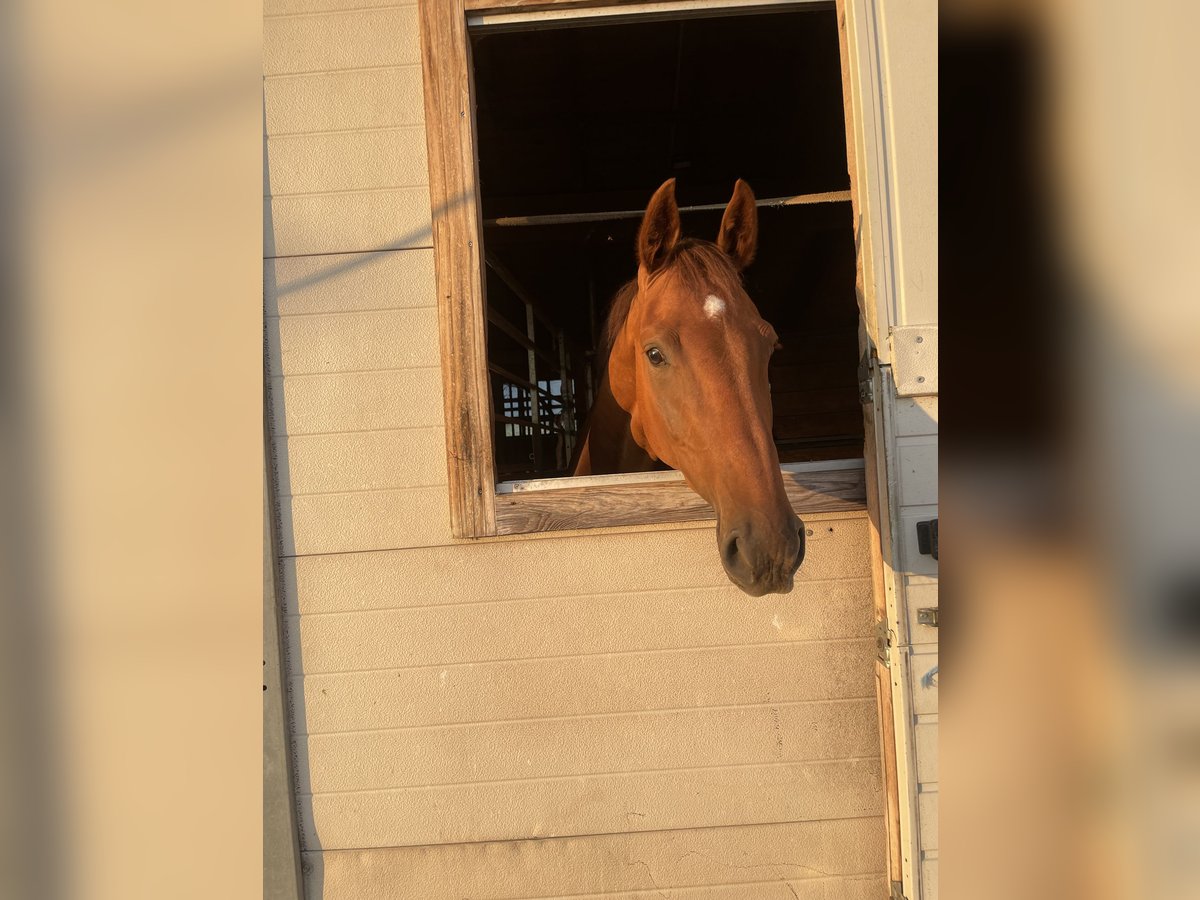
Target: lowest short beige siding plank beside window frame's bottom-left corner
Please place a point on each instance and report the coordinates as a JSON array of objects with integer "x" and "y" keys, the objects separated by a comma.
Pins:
[{"x": 365, "y": 520}]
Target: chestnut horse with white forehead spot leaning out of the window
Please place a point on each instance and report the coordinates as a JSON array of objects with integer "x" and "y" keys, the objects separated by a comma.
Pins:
[{"x": 686, "y": 385}]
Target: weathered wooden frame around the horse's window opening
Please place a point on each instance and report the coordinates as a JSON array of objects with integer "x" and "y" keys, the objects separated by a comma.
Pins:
[{"x": 479, "y": 508}]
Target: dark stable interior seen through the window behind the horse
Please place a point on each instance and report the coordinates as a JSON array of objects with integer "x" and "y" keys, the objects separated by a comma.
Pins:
[{"x": 583, "y": 123}]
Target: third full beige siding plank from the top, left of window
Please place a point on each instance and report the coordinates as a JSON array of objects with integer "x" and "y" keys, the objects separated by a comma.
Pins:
[{"x": 346, "y": 161}]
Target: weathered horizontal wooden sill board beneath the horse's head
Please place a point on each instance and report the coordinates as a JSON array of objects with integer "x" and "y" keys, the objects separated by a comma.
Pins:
[{"x": 833, "y": 490}]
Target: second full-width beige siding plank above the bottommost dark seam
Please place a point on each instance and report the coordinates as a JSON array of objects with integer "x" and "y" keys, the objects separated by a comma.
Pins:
[{"x": 565, "y": 748}]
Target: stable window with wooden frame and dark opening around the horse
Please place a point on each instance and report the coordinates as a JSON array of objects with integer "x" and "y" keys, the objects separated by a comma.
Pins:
[{"x": 549, "y": 130}]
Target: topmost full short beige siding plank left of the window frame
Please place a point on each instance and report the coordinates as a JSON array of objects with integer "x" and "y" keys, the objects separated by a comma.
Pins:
[{"x": 343, "y": 40}]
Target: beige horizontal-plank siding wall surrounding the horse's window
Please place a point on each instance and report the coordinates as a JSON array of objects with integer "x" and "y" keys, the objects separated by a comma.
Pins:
[{"x": 457, "y": 704}]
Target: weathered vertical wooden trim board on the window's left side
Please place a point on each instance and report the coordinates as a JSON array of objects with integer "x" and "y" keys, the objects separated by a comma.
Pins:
[{"x": 459, "y": 265}]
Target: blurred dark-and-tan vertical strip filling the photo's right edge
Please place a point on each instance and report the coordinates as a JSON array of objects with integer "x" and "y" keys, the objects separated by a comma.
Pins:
[{"x": 1071, "y": 292}]
